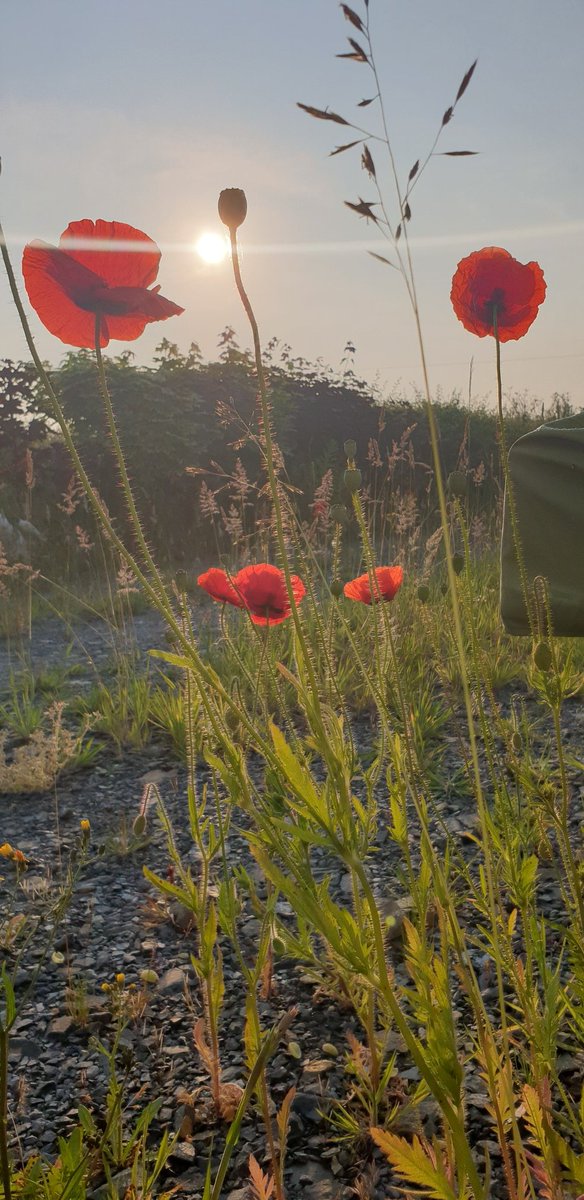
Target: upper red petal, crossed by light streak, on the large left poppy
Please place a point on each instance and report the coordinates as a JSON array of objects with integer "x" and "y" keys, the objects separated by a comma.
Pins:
[{"x": 121, "y": 267}]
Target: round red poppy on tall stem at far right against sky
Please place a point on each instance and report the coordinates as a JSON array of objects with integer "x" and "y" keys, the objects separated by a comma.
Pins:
[{"x": 492, "y": 279}]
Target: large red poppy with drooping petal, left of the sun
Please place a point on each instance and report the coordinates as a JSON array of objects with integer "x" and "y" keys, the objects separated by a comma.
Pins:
[{"x": 71, "y": 284}]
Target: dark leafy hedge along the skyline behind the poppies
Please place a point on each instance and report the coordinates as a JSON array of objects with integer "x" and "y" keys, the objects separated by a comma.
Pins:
[{"x": 194, "y": 421}]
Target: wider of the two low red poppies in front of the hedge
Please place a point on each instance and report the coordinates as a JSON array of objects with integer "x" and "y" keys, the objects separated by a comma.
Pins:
[{"x": 261, "y": 590}]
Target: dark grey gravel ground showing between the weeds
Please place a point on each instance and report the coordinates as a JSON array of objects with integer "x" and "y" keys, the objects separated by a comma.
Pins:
[{"x": 115, "y": 925}]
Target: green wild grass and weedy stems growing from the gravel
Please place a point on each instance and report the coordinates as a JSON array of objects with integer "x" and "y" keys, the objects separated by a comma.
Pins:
[{"x": 314, "y": 737}]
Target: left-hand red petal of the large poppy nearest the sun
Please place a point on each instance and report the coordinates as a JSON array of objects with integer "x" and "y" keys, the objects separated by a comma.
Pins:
[{"x": 49, "y": 280}]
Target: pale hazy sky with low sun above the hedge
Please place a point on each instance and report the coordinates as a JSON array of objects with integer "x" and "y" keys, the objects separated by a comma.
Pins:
[{"x": 142, "y": 112}]
